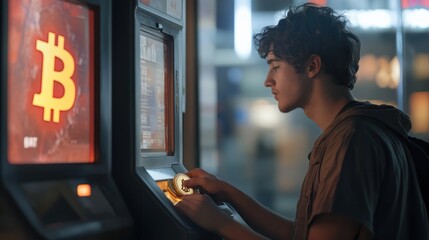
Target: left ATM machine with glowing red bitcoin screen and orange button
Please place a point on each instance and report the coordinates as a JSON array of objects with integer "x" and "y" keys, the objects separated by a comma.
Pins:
[{"x": 56, "y": 128}]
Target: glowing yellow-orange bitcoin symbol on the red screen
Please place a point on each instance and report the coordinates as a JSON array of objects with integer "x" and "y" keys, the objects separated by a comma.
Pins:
[{"x": 45, "y": 98}]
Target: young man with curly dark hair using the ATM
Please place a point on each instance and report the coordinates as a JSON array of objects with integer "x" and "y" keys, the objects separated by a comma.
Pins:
[{"x": 359, "y": 184}]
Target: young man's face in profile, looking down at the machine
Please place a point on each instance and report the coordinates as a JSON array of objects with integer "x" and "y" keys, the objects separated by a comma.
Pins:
[{"x": 290, "y": 89}]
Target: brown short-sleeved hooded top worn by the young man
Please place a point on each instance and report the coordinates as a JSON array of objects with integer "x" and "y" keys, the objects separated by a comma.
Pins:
[{"x": 359, "y": 169}]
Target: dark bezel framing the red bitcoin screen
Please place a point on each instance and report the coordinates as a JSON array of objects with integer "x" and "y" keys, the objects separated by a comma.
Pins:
[{"x": 102, "y": 105}]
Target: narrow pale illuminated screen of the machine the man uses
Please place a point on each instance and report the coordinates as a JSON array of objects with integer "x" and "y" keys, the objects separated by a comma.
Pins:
[{"x": 156, "y": 102}]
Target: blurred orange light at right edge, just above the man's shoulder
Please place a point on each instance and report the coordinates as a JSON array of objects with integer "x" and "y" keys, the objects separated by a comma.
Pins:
[{"x": 419, "y": 111}]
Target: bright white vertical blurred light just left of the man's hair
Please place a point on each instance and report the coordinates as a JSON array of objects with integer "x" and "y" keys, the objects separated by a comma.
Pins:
[{"x": 243, "y": 28}]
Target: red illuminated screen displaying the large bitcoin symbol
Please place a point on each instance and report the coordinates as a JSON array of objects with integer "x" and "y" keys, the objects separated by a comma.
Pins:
[{"x": 50, "y": 82}]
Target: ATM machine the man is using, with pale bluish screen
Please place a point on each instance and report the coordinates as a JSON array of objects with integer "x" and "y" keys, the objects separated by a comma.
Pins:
[{"x": 149, "y": 80}]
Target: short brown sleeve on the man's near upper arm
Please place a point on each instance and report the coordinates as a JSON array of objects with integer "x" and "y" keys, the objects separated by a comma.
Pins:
[{"x": 350, "y": 177}]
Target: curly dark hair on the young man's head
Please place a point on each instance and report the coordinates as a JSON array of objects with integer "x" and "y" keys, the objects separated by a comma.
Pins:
[{"x": 311, "y": 29}]
